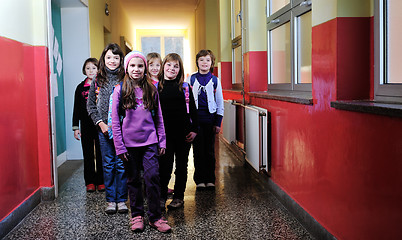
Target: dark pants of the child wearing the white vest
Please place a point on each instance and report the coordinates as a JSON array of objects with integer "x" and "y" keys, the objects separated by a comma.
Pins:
[{"x": 204, "y": 154}]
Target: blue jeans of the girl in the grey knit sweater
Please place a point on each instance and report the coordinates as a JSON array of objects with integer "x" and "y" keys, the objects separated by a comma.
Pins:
[{"x": 114, "y": 176}]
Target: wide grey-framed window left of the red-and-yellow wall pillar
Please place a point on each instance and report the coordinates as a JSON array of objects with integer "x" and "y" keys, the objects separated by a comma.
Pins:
[{"x": 289, "y": 45}]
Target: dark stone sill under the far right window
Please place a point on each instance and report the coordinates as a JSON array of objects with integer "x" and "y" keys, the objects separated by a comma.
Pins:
[{"x": 373, "y": 107}]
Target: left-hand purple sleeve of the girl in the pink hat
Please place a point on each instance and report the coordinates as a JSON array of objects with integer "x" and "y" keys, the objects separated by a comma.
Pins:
[{"x": 116, "y": 125}]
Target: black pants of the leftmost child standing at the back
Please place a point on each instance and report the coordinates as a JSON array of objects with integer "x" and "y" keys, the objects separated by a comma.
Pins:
[{"x": 91, "y": 151}]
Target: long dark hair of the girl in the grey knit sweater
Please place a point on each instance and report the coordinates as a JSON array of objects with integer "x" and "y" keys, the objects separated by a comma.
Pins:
[{"x": 101, "y": 76}]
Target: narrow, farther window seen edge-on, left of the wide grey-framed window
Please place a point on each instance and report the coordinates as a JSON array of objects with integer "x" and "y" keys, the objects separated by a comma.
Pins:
[{"x": 237, "y": 51}]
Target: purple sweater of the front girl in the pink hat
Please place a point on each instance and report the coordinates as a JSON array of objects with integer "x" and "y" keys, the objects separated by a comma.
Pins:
[{"x": 138, "y": 128}]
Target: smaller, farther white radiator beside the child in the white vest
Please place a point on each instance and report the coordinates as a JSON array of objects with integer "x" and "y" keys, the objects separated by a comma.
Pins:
[{"x": 229, "y": 122}]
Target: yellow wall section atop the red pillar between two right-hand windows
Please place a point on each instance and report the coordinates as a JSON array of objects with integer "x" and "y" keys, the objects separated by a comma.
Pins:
[{"x": 325, "y": 10}]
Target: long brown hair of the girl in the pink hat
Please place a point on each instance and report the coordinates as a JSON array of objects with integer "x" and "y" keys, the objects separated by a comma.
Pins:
[{"x": 128, "y": 92}]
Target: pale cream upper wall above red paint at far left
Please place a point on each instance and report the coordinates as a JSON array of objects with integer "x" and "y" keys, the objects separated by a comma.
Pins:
[{"x": 24, "y": 21}]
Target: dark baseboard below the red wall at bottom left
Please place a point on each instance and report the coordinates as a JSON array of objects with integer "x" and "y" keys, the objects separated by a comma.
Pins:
[{"x": 16, "y": 216}]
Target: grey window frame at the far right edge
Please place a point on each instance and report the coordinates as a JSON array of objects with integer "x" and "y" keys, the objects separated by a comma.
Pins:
[{"x": 387, "y": 92}]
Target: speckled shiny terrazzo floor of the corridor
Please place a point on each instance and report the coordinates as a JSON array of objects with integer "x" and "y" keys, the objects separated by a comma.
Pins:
[{"x": 241, "y": 207}]
